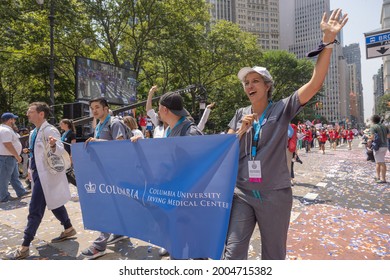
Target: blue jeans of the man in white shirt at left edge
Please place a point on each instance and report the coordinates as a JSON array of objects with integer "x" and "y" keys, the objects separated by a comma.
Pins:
[{"x": 9, "y": 173}]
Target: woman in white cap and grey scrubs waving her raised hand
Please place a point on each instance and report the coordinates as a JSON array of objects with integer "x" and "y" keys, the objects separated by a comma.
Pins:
[{"x": 263, "y": 192}]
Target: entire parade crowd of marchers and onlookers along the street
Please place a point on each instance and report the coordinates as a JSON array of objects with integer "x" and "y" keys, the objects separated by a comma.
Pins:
[{"x": 263, "y": 193}]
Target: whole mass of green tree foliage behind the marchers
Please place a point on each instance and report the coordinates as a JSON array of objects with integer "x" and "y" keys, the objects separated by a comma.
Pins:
[{"x": 171, "y": 43}]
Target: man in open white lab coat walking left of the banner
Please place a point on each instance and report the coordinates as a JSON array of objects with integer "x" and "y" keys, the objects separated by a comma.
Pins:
[{"x": 48, "y": 189}]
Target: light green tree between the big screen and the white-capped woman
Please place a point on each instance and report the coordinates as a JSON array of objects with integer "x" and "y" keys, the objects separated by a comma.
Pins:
[{"x": 207, "y": 55}]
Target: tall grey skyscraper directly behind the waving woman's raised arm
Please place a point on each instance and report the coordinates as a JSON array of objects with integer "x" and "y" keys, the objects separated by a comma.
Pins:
[{"x": 307, "y": 36}]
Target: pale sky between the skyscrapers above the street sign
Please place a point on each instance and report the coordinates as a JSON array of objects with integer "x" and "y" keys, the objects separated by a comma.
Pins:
[{"x": 364, "y": 16}]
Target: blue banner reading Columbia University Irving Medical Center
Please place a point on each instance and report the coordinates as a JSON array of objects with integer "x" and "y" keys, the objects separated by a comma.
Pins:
[{"x": 173, "y": 192}]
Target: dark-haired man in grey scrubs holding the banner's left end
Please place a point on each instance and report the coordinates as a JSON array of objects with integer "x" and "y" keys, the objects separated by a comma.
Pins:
[{"x": 106, "y": 129}]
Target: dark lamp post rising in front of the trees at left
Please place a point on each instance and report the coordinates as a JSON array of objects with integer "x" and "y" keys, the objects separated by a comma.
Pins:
[{"x": 51, "y": 69}]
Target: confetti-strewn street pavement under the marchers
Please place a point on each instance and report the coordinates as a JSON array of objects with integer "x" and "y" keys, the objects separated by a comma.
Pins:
[{"x": 339, "y": 212}]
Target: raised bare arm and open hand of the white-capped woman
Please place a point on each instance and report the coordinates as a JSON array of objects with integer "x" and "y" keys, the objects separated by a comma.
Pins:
[{"x": 330, "y": 28}]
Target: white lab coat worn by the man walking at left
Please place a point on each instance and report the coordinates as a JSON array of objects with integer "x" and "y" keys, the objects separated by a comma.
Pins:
[{"x": 55, "y": 186}]
